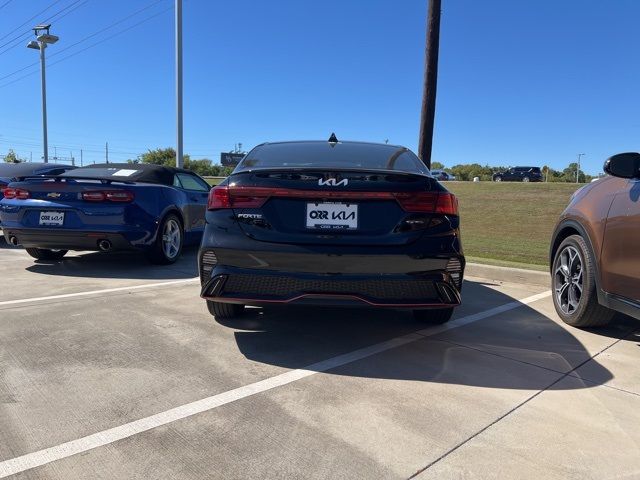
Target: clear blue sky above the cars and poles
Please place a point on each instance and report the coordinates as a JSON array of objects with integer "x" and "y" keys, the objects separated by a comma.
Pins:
[{"x": 520, "y": 82}]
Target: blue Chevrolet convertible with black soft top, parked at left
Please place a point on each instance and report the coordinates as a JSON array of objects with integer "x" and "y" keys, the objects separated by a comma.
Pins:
[{"x": 107, "y": 207}]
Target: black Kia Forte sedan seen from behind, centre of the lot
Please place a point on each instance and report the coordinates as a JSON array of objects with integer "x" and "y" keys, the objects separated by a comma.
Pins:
[{"x": 332, "y": 223}]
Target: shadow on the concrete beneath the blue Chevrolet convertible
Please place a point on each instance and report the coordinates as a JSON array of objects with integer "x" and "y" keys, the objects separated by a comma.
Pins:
[{"x": 124, "y": 265}]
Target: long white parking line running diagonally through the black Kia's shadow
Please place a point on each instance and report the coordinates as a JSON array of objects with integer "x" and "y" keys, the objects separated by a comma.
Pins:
[{"x": 105, "y": 437}]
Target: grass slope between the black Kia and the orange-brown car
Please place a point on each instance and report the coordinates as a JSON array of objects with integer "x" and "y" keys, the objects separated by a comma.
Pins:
[{"x": 510, "y": 223}]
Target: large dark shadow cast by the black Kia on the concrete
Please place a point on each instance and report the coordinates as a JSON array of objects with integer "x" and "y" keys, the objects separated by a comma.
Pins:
[{"x": 518, "y": 349}]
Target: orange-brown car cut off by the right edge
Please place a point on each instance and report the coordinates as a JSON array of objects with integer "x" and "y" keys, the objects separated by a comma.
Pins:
[{"x": 594, "y": 258}]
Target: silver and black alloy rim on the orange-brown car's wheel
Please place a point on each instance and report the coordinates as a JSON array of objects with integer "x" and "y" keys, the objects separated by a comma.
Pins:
[{"x": 568, "y": 280}]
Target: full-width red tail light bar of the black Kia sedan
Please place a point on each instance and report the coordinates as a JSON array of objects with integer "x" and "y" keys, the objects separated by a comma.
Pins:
[{"x": 229, "y": 196}]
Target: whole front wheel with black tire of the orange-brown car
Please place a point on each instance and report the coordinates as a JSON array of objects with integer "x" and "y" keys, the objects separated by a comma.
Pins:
[{"x": 573, "y": 285}]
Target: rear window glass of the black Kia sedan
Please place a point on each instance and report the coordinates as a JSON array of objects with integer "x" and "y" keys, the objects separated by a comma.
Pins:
[{"x": 325, "y": 155}]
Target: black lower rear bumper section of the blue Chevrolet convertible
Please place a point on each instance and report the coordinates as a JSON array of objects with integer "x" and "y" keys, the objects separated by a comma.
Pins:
[{"x": 65, "y": 239}]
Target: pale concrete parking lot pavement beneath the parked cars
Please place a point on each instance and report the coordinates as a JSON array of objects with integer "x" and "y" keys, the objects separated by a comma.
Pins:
[{"x": 113, "y": 368}]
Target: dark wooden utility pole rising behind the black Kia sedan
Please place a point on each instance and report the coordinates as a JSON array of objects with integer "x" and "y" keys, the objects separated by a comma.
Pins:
[{"x": 430, "y": 82}]
